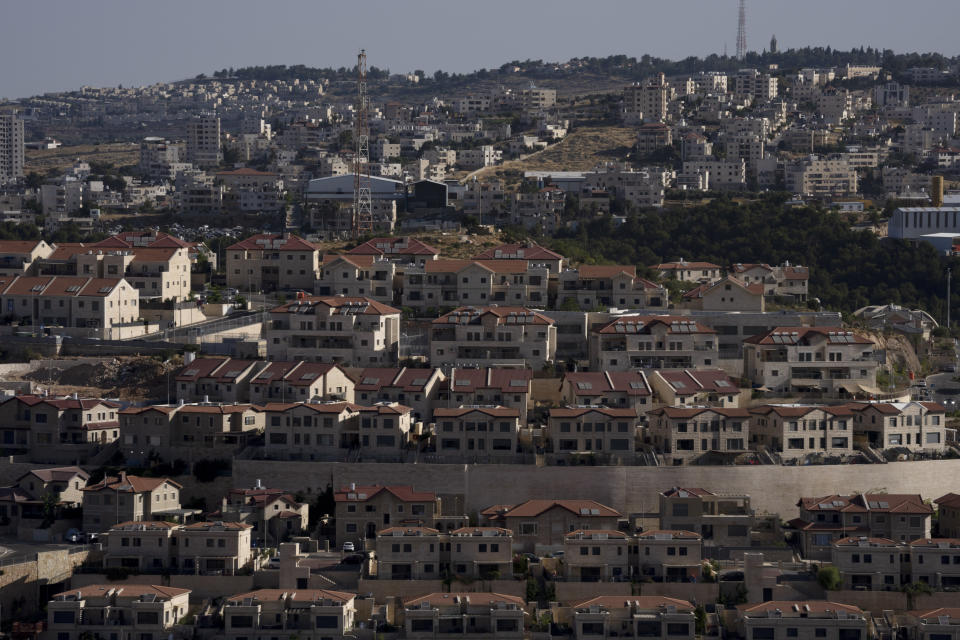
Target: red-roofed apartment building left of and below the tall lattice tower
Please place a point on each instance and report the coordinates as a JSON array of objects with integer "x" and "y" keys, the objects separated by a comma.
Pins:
[{"x": 271, "y": 261}]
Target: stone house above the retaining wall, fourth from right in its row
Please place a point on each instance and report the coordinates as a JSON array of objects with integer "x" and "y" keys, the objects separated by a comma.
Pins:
[{"x": 593, "y": 431}]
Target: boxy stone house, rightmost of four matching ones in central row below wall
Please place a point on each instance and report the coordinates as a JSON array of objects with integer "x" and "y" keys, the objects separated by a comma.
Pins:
[{"x": 670, "y": 556}]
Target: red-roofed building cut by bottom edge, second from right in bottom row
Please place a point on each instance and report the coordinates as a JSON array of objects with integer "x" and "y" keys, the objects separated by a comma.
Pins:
[{"x": 804, "y": 620}]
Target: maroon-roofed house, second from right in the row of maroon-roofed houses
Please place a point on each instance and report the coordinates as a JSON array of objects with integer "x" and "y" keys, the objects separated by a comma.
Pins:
[{"x": 620, "y": 389}]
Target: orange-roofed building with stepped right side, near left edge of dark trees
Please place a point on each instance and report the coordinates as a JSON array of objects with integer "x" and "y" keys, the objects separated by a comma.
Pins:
[{"x": 592, "y": 286}]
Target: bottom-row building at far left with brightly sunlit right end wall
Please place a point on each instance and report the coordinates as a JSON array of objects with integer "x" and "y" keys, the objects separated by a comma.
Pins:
[{"x": 127, "y": 611}]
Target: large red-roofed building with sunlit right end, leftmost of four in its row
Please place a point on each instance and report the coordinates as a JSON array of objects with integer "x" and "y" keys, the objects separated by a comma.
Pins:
[{"x": 355, "y": 331}]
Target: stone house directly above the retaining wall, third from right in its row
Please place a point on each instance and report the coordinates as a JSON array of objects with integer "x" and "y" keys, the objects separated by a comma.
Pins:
[{"x": 683, "y": 434}]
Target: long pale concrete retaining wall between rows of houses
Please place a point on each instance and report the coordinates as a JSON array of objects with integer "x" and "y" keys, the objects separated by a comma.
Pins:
[{"x": 629, "y": 489}]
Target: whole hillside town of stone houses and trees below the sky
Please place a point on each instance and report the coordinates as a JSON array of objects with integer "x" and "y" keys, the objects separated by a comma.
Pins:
[{"x": 604, "y": 348}]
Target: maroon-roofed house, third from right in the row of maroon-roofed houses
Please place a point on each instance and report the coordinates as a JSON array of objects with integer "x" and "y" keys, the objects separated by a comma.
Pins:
[{"x": 488, "y": 386}]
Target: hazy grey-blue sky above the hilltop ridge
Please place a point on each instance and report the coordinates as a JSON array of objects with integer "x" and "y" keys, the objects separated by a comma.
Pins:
[{"x": 50, "y": 45}]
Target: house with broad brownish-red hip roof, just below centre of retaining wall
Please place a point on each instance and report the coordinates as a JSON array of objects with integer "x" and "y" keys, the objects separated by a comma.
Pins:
[{"x": 542, "y": 525}]
